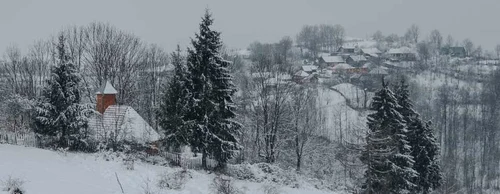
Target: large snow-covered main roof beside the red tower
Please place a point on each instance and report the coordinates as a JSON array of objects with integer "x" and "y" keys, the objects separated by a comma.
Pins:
[{"x": 125, "y": 122}]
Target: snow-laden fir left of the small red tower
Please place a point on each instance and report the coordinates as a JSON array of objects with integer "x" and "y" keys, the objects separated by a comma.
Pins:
[{"x": 59, "y": 114}]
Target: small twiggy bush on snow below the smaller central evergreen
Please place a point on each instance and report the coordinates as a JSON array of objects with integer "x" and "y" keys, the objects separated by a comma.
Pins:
[{"x": 174, "y": 180}]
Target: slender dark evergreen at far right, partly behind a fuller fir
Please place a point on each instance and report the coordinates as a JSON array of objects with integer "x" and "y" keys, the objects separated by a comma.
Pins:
[{"x": 424, "y": 148}]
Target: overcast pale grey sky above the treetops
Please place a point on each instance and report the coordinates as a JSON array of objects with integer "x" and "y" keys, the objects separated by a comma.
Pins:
[{"x": 168, "y": 22}]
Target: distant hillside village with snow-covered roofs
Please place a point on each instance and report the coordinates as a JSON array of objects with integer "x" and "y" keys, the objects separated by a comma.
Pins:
[{"x": 358, "y": 62}]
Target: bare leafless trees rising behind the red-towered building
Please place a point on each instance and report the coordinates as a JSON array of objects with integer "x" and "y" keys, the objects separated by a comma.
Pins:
[{"x": 99, "y": 52}]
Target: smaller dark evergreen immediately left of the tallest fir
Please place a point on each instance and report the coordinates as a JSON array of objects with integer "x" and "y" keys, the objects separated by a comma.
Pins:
[{"x": 174, "y": 105}]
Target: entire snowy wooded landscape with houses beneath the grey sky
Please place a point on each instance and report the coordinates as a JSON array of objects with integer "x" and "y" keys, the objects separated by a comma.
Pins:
[{"x": 317, "y": 112}]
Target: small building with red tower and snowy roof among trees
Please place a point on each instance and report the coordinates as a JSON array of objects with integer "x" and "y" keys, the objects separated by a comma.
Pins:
[{"x": 118, "y": 121}]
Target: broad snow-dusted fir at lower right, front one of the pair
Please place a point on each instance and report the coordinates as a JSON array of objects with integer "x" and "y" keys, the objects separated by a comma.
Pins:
[{"x": 387, "y": 153}]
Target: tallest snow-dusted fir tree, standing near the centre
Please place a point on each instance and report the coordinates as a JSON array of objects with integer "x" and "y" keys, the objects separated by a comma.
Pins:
[{"x": 211, "y": 111}]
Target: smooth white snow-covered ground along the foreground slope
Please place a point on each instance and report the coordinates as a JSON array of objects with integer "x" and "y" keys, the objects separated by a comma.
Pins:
[{"x": 50, "y": 172}]
